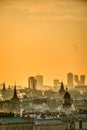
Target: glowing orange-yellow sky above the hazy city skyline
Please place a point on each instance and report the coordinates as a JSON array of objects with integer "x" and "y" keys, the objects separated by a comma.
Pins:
[{"x": 47, "y": 37}]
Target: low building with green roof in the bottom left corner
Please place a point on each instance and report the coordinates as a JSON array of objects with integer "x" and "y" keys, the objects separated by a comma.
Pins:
[{"x": 15, "y": 123}]
